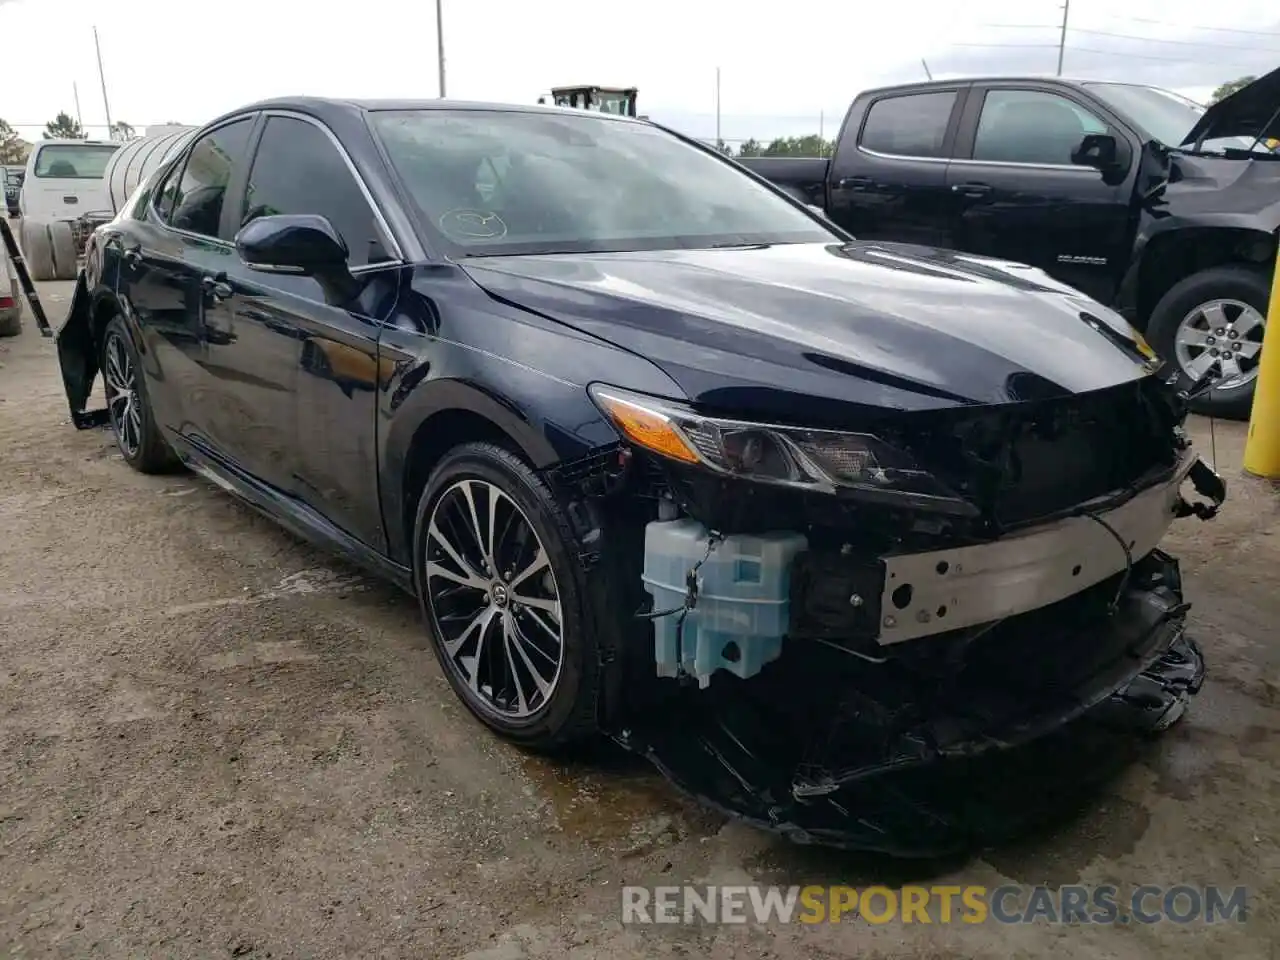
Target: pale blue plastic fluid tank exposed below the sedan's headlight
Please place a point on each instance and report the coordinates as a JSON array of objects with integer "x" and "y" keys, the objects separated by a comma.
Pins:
[{"x": 744, "y": 598}]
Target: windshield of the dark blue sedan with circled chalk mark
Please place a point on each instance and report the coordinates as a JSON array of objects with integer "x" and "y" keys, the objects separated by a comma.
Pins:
[{"x": 505, "y": 182}]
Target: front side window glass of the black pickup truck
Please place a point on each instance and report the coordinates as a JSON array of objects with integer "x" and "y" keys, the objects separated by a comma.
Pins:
[{"x": 1032, "y": 127}]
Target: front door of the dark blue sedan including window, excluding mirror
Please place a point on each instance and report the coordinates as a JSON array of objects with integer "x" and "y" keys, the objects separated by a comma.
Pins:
[{"x": 299, "y": 348}]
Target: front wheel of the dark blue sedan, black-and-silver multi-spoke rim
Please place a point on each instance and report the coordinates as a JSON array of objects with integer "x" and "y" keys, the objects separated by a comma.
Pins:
[{"x": 502, "y": 595}]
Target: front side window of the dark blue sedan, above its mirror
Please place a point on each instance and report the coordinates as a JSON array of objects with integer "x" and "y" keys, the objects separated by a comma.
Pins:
[{"x": 299, "y": 171}]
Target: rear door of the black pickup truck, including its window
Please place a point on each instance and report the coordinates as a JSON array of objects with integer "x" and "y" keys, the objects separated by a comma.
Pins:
[{"x": 889, "y": 173}]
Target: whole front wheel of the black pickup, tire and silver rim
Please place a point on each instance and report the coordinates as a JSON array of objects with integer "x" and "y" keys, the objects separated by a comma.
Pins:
[{"x": 1215, "y": 321}]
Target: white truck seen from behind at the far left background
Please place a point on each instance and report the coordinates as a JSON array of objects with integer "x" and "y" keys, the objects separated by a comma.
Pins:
[{"x": 63, "y": 199}]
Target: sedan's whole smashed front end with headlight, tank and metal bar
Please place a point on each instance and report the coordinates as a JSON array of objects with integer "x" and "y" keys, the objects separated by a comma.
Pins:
[{"x": 865, "y": 639}]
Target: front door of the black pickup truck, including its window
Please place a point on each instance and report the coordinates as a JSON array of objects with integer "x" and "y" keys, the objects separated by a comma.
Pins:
[{"x": 1021, "y": 198}]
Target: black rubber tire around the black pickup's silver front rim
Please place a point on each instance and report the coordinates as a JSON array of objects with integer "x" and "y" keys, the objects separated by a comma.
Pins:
[{"x": 1233, "y": 284}]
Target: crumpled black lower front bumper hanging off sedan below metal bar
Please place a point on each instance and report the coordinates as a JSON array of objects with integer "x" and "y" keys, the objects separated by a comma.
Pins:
[{"x": 931, "y": 757}]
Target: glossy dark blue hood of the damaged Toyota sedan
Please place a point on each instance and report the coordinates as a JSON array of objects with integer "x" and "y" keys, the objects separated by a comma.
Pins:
[{"x": 771, "y": 330}]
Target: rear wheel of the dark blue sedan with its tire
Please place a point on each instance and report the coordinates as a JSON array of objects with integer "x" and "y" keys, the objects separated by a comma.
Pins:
[{"x": 132, "y": 423}]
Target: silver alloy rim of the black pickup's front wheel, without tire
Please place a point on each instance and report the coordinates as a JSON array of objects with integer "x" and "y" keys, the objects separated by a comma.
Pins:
[{"x": 1226, "y": 332}]
